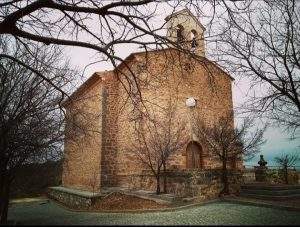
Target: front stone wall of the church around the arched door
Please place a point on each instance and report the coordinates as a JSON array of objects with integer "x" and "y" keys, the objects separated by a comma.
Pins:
[{"x": 160, "y": 81}]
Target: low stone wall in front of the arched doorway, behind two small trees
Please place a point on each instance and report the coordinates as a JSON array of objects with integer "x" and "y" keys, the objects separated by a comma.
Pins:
[{"x": 203, "y": 184}]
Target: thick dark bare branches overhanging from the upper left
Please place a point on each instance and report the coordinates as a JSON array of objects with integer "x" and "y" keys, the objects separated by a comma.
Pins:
[{"x": 98, "y": 25}]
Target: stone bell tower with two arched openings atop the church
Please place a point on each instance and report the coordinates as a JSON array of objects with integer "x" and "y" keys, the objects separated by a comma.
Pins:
[{"x": 186, "y": 30}]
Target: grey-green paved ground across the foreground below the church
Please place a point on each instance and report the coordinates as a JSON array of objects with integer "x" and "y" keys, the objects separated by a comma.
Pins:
[{"x": 218, "y": 213}]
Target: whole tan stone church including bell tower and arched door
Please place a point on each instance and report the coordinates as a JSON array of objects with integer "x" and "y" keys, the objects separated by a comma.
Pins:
[{"x": 101, "y": 114}]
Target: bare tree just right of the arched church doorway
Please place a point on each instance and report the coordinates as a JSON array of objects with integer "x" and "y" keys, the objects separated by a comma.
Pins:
[{"x": 229, "y": 143}]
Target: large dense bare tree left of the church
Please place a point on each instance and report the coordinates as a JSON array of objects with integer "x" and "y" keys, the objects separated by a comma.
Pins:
[{"x": 31, "y": 121}]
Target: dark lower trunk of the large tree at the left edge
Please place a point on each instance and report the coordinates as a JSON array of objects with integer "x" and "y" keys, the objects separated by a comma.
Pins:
[{"x": 4, "y": 198}]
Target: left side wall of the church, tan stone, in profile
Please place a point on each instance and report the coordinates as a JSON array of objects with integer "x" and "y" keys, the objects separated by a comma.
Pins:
[{"x": 83, "y": 142}]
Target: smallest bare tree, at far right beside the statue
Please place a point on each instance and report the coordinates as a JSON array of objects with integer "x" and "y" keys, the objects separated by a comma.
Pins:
[{"x": 287, "y": 161}]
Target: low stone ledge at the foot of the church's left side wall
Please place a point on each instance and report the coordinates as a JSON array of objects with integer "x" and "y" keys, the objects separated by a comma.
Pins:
[{"x": 73, "y": 198}]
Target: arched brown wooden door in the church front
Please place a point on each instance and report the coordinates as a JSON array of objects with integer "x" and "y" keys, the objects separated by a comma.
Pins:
[{"x": 194, "y": 156}]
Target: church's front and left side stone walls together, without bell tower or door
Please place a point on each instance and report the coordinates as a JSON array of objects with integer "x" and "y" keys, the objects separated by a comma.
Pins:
[{"x": 105, "y": 157}]
